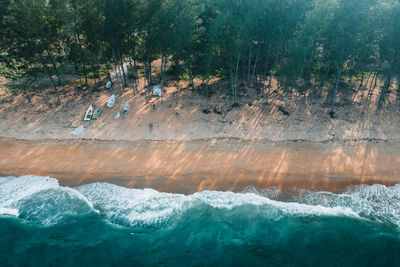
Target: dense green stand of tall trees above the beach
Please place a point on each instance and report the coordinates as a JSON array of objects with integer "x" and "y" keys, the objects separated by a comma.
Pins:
[{"x": 307, "y": 46}]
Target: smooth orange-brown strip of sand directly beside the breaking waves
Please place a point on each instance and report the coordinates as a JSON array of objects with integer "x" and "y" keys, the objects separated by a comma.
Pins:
[{"x": 190, "y": 166}]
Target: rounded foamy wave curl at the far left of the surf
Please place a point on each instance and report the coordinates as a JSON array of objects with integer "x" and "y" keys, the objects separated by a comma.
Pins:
[{"x": 42, "y": 200}]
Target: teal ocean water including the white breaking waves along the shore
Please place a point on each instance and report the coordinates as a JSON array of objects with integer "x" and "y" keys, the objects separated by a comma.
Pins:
[{"x": 100, "y": 224}]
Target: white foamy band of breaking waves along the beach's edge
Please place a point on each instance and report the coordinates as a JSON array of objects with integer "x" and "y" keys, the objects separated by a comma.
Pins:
[{"x": 43, "y": 201}]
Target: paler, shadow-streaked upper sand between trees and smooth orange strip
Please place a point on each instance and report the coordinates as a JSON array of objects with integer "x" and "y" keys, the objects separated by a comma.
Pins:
[{"x": 181, "y": 116}]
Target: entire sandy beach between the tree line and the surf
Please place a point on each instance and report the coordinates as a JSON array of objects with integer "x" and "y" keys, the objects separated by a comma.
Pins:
[{"x": 235, "y": 147}]
